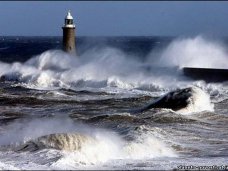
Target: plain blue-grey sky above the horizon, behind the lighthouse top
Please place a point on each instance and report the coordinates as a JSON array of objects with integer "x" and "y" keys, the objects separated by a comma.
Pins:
[{"x": 148, "y": 18}]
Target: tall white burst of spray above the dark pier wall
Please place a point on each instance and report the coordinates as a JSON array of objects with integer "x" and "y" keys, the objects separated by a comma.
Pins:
[{"x": 194, "y": 52}]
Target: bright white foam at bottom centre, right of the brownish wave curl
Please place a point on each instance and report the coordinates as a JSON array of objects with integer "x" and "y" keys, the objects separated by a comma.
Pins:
[{"x": 111, "y": 147}]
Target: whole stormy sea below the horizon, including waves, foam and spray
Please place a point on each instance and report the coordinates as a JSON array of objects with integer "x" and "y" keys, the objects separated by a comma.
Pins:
[{"x": 62, "y": 111}]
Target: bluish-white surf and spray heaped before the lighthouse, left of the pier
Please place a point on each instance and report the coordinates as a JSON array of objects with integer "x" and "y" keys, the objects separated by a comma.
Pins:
[{"x": 105, "y": 68}]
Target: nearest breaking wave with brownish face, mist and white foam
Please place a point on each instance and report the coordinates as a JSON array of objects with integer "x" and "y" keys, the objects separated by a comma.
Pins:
[{"x": 80, "y": 144}]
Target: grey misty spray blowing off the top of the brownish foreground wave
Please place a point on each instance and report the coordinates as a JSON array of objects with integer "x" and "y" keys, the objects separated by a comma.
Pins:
[{"x": 23, "y": 131}]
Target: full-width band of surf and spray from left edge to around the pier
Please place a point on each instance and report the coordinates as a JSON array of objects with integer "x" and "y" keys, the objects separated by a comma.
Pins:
[{"x": 110, "y": 67}]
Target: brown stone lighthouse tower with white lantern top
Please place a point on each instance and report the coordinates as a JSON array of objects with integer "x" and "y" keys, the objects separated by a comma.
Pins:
[{"x": 69, "y": 34}]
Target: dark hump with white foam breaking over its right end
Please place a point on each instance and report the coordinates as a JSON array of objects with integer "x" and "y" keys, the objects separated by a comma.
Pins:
[{"x": 187, "y": 100}]
